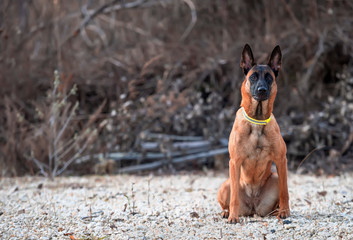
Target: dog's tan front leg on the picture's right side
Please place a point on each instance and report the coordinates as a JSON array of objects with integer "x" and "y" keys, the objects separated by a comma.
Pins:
[{"x": 283, "y": 188}]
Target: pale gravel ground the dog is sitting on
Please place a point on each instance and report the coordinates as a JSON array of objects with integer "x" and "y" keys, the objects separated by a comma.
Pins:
[{"x": 167, "y": 207}]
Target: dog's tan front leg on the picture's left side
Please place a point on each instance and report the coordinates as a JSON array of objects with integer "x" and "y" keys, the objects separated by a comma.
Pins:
[{"x": 234, "y": 173}]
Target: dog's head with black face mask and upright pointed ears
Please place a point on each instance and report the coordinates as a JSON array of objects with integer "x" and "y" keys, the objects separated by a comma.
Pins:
[{"x": 260, "y": 79}]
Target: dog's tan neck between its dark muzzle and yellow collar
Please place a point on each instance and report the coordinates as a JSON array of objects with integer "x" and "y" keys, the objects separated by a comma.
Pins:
[{"x": 255, "y": 109}]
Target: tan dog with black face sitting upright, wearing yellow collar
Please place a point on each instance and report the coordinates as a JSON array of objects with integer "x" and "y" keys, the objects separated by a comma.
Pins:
[{"x": 254, "y": 143}]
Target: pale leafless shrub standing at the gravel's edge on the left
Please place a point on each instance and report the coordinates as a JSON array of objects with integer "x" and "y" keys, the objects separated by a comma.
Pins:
[{"x": 55, "y": 135}]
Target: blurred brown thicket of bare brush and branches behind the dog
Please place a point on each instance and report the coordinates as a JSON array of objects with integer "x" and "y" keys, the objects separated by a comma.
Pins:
[{"x": 126, "y": 86}]
